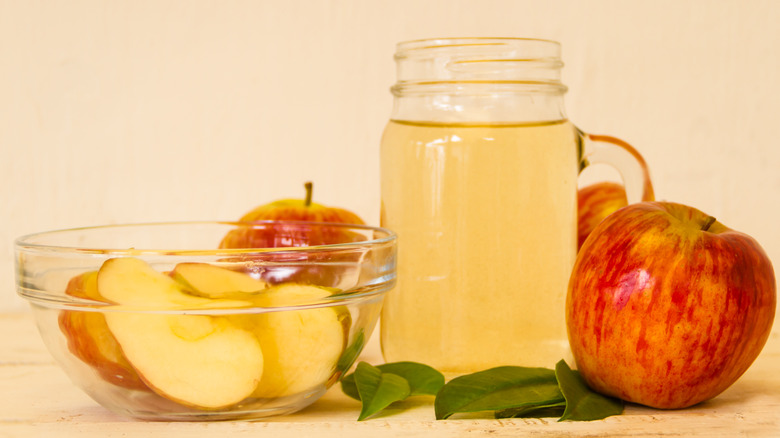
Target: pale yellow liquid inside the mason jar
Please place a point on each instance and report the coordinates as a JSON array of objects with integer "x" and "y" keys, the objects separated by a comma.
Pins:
[{"x": 486, "y": 223}]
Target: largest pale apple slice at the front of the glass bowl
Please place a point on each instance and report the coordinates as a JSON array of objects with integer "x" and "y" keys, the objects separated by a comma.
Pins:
[{"x": 201, "y": 361}]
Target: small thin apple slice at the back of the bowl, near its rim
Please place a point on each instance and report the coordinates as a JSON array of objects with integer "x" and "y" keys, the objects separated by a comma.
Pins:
[{"x": 209, "y": 281}]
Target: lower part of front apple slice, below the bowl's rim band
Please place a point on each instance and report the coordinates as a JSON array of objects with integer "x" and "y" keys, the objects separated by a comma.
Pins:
[{"x": 199, "y": 361}]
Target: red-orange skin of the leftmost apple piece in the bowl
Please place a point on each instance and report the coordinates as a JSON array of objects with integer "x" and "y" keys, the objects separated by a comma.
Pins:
[{"x": 90, "y": 340}]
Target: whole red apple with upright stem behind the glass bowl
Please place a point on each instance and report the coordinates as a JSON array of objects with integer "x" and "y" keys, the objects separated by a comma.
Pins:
[{"x": 292, "y": 228}]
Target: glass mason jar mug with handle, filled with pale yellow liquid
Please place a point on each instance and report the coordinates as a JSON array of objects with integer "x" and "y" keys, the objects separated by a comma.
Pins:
[{"x": 479, "y": 168}]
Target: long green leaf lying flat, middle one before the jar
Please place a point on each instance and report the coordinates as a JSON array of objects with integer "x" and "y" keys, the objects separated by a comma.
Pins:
[{"x": 498, "y": 389}]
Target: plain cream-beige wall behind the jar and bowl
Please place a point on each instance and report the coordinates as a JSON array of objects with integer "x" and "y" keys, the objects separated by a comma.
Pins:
[{"x": 127, "y": 111}]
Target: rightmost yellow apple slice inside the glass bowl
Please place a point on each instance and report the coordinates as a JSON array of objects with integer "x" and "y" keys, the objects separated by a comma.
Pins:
[{"x": 301, "y": 347}]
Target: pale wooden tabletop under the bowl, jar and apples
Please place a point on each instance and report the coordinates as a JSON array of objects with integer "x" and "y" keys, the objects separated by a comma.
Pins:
[{"x": 38, "y": 399}]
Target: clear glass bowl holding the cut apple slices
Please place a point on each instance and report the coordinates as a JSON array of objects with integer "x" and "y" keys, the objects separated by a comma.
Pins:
[{"x": 169, "y": 321}]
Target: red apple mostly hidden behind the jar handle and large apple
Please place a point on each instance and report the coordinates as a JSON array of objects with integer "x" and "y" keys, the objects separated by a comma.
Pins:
[{"x": 594, "y": 203}]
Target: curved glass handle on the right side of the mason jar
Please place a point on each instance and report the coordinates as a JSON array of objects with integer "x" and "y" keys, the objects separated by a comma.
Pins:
[{"x": 623, "y": 157}]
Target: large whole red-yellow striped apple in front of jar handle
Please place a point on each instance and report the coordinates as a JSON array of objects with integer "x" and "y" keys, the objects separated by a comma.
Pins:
[{"x": 664, "y": 314}]
